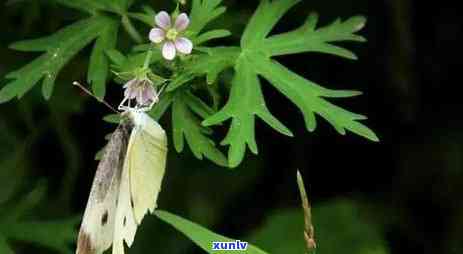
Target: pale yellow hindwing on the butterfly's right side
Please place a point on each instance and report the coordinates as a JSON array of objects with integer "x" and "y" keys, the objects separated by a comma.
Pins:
[{"x": 147, "y": 162}]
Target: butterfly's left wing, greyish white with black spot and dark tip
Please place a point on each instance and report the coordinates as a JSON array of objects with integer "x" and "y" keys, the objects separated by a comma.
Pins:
[{"x": 97, "y": 227}]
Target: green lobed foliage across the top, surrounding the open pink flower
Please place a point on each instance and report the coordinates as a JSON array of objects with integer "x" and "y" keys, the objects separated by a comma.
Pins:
[{"x": 192, "y": 115}]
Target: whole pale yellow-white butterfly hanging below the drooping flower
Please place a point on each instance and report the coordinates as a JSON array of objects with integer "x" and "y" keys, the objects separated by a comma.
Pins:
[{"x": 126, "y": 184}]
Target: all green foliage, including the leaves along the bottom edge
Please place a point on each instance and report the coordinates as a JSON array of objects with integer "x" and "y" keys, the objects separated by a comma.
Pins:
[{"x": 198, "y": 94}]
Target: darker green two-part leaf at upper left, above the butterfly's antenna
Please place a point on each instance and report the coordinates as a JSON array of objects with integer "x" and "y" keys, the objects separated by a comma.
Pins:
[{"x": 60, "y": 48}]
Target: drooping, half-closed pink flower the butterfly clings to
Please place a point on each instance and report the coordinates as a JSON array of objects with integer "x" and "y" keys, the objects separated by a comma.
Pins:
[{"x": 141, "y": 90}]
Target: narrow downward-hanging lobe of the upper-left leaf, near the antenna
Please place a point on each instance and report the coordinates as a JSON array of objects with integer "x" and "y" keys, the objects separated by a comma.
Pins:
[{"x": 98, "y": 69}]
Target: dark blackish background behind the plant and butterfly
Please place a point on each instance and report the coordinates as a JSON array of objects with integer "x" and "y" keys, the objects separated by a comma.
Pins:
[{"x": 409, "y": 186}]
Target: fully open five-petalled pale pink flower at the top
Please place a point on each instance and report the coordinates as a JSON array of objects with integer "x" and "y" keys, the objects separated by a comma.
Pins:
[{"x": 170, "y": 35}]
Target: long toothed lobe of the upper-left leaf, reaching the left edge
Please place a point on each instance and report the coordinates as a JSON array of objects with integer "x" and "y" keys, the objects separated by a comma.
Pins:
[{"x": 61, "y": 48}]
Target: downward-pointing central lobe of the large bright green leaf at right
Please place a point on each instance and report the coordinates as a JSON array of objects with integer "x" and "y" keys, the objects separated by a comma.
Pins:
[{"x": 245, "y": 91}]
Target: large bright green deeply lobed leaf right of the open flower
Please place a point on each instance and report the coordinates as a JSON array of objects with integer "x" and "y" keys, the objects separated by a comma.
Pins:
[{"x": 255, "y": 60}]
